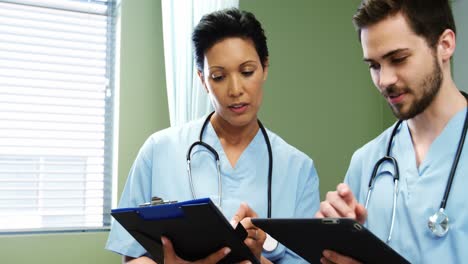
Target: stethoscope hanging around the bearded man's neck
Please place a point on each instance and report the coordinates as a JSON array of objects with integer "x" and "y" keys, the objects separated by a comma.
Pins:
[{"x": 438, "y": 223}]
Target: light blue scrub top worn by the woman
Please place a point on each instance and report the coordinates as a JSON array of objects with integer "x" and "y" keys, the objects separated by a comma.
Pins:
[{"x": 160, "y": 169}]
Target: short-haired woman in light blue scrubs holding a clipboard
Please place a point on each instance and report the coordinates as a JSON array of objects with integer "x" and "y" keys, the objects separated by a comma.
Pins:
[{"x": 232, "y": 59}]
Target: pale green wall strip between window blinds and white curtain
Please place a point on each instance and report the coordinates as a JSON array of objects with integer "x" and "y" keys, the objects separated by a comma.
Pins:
[{"x": 143, "y": 98}]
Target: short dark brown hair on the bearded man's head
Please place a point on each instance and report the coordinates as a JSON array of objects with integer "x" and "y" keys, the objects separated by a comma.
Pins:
[{"x": 427, "y": 18}]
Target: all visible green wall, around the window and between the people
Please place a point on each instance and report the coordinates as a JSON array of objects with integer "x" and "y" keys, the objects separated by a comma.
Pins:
[{"x": 319, "y": 98}]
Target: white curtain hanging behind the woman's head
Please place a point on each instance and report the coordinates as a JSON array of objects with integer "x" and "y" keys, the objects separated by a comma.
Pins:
[{"x": 186, "y": 96}]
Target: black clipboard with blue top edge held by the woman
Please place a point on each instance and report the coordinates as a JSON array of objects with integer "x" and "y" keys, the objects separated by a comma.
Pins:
[{"x": 196, "y": 229}]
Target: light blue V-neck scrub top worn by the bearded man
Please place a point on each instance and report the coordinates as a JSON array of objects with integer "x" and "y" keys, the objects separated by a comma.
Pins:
[{"x": 420, "y": 193}]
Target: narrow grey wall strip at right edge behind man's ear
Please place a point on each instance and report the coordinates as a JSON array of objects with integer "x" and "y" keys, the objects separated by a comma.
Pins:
[{"x": 460, "y": 9}]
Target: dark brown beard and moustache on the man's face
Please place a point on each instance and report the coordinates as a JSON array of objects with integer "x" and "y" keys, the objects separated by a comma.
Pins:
[{"x": 430, "y": 88}]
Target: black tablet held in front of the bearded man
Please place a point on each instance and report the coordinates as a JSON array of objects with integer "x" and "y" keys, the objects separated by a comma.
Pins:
[{"x": 309, "y": 237}]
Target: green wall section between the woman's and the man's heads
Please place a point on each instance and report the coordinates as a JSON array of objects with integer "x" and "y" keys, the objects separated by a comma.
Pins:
[{"x": 319, "y": 96}]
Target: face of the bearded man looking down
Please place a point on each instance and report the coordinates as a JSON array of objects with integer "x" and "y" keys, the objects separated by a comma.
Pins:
[{"x": 402, "y": 65}]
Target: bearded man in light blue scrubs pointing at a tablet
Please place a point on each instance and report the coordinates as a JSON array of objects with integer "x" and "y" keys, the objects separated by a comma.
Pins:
[{"x": 408, "y": 45}]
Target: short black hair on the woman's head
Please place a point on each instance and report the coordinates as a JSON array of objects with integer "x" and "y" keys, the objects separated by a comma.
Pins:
[{"x": 219, "y": 25}]
